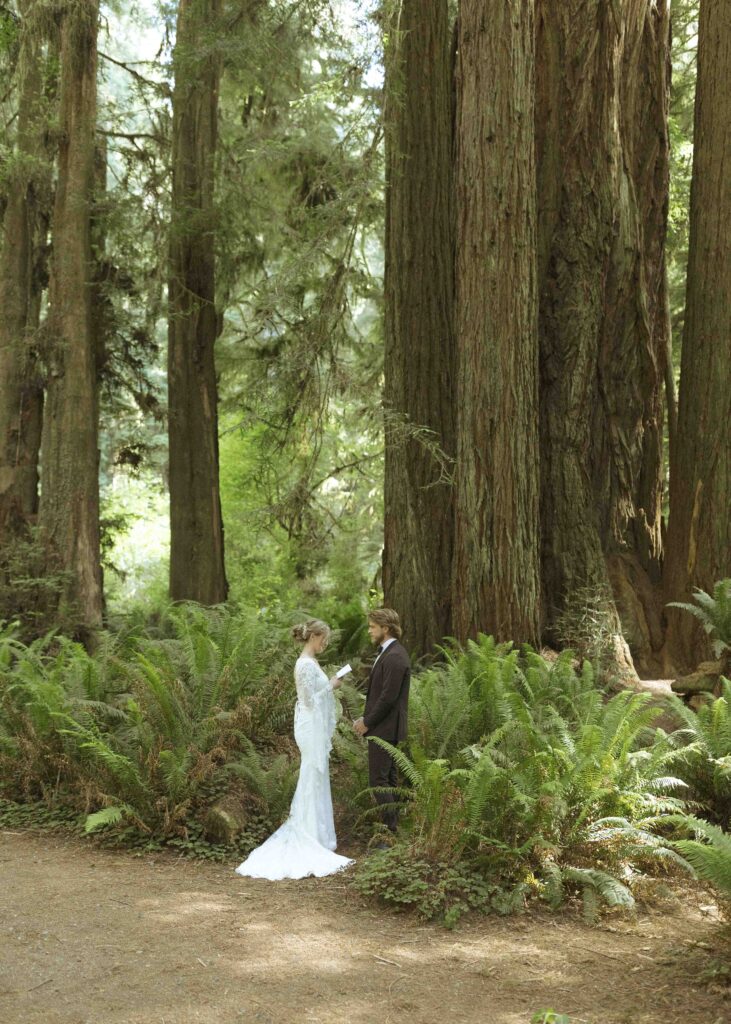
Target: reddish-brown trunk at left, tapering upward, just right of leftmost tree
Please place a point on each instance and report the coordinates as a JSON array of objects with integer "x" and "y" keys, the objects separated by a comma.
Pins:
[{"x": 70, "y": 493}]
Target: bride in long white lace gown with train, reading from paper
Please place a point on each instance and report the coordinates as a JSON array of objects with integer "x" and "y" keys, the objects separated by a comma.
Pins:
[{"x": 306, "y": 843}]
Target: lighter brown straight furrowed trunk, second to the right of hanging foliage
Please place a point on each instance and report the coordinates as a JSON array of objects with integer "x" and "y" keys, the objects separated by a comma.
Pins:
[{"x": 497, "y": 550}]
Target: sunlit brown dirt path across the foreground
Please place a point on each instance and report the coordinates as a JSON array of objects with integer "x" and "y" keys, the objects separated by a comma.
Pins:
[{"x": 97, "y": 937}]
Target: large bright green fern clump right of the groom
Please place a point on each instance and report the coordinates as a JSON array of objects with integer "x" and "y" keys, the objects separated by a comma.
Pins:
[{"x": 525, "y": 771}]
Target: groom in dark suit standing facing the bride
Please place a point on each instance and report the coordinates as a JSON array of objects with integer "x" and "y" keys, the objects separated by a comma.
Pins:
[{"x": 386, "y": 706}]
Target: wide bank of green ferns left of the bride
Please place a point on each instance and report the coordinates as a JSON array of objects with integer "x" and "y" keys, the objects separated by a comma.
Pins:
[{"x": 151, "y": 728}]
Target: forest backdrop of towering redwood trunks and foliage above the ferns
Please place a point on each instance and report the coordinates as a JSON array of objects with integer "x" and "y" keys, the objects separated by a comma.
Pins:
[{"x": 291, "y": 281}]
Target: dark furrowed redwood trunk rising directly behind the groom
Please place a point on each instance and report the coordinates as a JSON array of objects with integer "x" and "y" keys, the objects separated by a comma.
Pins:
[{"x": 420, "y": 347}]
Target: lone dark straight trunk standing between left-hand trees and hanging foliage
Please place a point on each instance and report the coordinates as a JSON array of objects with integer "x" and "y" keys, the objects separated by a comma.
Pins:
[{"x": 197, "y": 570}]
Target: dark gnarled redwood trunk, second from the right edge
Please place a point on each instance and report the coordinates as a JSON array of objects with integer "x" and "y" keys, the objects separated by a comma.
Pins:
[{"x": 635, "y": 348}]
